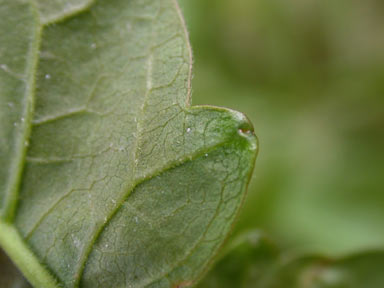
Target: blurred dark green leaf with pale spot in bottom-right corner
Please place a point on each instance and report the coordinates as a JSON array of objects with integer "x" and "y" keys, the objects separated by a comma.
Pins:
[{"x": 362, "y": 270}]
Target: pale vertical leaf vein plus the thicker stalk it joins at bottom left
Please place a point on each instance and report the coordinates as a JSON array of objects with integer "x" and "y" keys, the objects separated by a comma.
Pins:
[{"x": 10, "y": 239}]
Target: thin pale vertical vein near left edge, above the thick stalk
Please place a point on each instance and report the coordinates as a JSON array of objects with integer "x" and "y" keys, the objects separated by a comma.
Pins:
[{"x": 17, "y": 166}]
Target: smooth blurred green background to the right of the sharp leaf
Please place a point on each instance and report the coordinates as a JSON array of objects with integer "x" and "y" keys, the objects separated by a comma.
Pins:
[{"x": 310, "y": 76}]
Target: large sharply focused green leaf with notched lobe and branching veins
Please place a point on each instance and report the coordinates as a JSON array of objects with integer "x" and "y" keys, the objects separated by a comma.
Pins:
[{"x": 108, "y": 177}]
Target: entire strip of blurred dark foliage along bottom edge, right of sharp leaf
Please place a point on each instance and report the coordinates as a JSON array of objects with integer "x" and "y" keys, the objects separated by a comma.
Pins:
[{"x": 252, "y": 261}]
